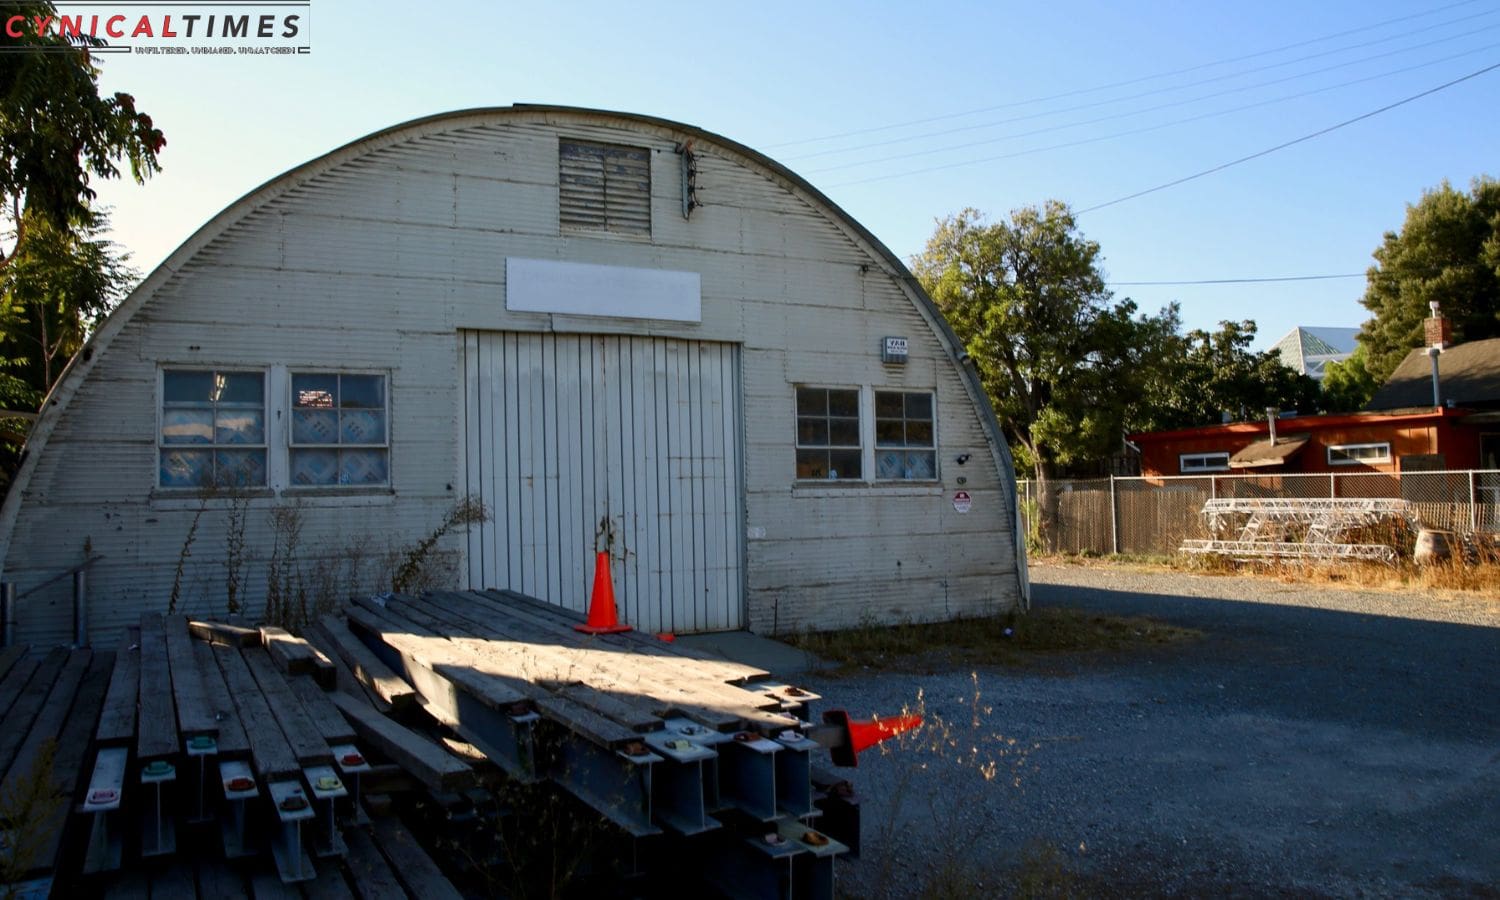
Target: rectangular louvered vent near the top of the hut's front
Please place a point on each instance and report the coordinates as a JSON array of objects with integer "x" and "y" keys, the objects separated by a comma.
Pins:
[{"x": 605, "y": 188}]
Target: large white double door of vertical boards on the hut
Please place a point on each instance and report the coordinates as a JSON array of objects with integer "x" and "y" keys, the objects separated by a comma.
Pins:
[{"x": 577, "y": 443}]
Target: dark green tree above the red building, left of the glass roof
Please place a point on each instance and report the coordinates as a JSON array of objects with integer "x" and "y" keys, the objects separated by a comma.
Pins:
[{"x": 1205, "y": 374}]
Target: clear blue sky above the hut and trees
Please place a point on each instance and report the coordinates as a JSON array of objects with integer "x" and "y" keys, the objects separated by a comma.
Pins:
[{"x": 782, "y": 76}]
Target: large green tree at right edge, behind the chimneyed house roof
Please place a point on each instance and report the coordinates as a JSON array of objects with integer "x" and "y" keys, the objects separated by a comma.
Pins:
[{"x": 1448, "y": 251}]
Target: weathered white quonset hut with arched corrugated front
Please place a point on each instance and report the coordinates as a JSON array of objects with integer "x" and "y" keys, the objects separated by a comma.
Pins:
[{"x": 613, "y": 331}]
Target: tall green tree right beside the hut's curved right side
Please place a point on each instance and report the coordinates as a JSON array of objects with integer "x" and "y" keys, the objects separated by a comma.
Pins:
[{"x": 1060, "y": 358}]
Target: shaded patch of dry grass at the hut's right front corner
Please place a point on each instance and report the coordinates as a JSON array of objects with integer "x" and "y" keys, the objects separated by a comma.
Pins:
[{"x": 995, "y": 641}]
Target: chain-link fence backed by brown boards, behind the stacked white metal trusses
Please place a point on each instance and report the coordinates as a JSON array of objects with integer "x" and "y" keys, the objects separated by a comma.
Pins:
[{"x": 1154, "y": 515}]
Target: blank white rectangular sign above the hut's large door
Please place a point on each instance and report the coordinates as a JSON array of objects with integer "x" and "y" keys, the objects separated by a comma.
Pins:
[{"x": 619, "y": 292}]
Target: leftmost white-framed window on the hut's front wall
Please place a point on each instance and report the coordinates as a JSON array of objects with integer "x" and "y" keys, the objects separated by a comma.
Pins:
[{"x": 212, "y": 430}]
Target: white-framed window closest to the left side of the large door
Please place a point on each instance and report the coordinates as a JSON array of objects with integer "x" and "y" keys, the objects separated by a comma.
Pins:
[{"x": 340, "y": 430}]
